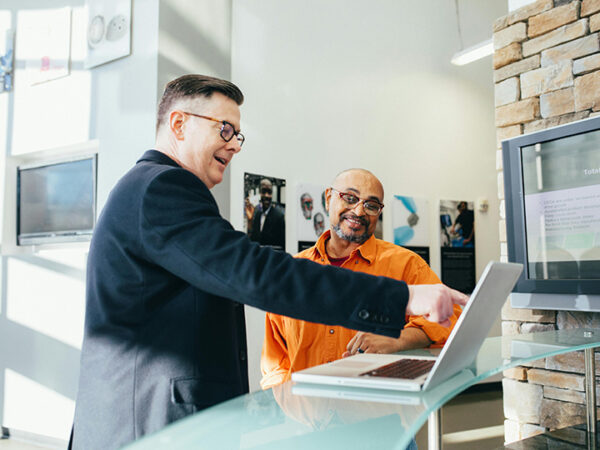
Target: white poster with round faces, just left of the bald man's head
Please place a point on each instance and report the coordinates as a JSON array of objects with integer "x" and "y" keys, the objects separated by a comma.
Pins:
[{"x": 312, "y": 218}]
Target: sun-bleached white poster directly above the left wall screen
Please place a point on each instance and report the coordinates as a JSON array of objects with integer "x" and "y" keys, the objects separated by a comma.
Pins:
[{"x": 44, "y": 43}]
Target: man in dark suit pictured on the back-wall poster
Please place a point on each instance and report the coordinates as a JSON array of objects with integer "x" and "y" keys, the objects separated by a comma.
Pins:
[{"x": 267, "y": 226}]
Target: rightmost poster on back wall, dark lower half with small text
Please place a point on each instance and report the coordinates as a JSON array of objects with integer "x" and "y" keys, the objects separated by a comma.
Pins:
[{"x": 457, "y": 242}]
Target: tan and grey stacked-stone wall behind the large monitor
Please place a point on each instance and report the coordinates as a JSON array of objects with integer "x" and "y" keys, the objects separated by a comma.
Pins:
[{"x": 546, "y": 73}]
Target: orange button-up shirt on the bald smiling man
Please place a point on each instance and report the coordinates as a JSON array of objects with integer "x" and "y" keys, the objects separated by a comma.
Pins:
[{"x": 291, "y": 345}]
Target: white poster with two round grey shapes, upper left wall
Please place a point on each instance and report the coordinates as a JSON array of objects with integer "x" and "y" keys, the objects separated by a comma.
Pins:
[{"x": 108, "y": 33}]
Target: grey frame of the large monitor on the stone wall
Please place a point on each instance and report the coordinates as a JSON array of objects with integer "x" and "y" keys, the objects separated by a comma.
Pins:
[{"x": 515, "y": 209}]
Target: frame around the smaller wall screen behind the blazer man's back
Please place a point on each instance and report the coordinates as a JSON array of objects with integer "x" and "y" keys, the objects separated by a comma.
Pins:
[{"x": 67, "y": 236}]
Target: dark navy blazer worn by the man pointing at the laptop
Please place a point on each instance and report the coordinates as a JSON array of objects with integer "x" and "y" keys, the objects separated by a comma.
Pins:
[{"x": 164, "y": 327}]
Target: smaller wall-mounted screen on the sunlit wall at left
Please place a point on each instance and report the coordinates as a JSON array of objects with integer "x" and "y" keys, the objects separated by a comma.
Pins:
[{"x": 56, "y": 201}]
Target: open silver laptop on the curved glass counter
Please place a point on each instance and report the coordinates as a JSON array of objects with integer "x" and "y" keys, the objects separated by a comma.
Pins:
[{"x": 372, "y": 370}]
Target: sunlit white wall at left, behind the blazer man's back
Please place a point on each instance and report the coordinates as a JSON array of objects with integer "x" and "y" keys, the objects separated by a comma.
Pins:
[{"x": 42, "y": 295}]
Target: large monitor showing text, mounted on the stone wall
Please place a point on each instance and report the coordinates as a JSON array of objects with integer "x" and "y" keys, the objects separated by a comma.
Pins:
[{"x": 552, "y": 194}]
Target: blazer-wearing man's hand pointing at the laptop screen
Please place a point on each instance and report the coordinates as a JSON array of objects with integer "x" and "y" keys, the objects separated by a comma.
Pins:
[{"x": 434, "y": 302}]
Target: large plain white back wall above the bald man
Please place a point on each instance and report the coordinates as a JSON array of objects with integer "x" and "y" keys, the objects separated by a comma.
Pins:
[{"x": 339, "y": 84}]
